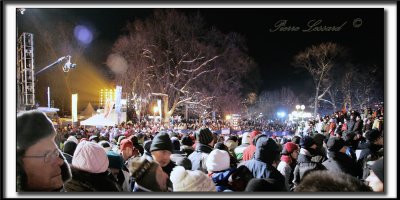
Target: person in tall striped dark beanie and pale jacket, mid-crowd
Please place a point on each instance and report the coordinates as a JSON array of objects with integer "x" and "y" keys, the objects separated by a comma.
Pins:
[{"x": 204, "y": 143}]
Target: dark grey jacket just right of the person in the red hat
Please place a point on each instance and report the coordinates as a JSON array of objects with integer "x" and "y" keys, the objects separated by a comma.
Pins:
[{"x": 304, "y": 166}]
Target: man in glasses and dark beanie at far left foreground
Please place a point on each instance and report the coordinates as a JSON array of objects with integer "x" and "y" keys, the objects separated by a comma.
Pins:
[{"x": 40, "y": 164}]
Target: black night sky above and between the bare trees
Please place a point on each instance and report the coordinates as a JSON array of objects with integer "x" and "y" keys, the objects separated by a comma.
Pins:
[{"x": 272, "y": 51}]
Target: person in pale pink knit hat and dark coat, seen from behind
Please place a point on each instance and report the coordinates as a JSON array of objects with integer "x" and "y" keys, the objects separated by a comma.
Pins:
[{"x": 89, "y": 170}]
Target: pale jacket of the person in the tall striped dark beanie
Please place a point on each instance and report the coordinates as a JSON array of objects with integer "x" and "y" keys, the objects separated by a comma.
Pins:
[{"x": 199, "y": 157}]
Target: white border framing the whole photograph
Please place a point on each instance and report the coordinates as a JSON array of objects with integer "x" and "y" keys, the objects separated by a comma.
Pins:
[{"x": 9, "y": 116}]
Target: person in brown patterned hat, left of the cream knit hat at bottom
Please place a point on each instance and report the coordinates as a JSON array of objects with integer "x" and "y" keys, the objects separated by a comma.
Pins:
[{"x": 148, "y": 176}]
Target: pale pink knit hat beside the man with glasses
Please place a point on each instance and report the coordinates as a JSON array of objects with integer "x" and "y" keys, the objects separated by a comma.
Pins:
[{"x": 90, "y": 157}]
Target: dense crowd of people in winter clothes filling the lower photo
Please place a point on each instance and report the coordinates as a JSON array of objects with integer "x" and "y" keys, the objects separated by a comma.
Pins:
[{"x": 340, "y": 152}]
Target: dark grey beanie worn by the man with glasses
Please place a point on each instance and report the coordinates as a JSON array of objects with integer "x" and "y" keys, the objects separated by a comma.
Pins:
[{"x": 32, "y": 126}]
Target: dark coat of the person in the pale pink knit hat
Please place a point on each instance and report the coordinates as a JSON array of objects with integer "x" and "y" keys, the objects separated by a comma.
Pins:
[{"x": 83, "y": 181}]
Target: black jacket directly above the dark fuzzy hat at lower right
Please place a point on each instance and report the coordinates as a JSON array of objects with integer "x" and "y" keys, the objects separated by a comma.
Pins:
[{"x": 341, "y": 162}]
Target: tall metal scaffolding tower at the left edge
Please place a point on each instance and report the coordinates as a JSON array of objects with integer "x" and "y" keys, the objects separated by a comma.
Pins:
[{"x": 25, "y": 72}]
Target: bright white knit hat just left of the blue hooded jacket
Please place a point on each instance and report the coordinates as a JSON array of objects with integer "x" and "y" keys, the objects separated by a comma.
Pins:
[{"x": 218, "y": 160}]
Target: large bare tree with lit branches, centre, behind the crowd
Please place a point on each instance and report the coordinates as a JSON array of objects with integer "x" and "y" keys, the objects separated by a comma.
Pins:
[{"x": 174, "y": 57}]
